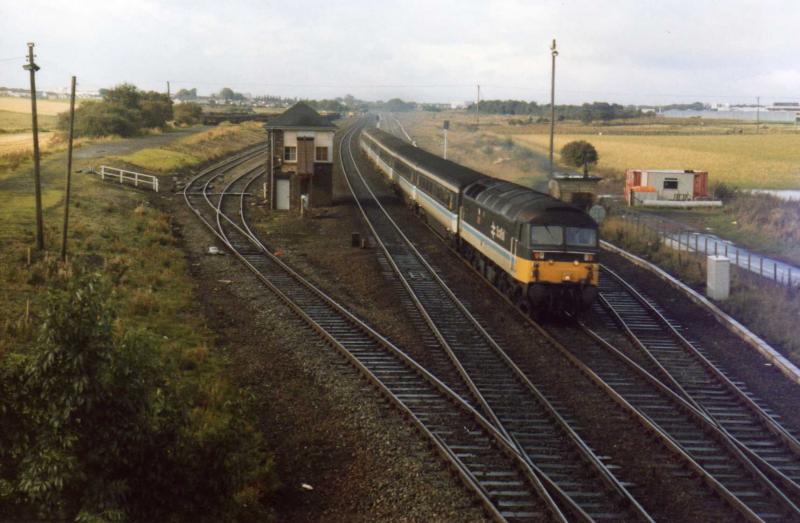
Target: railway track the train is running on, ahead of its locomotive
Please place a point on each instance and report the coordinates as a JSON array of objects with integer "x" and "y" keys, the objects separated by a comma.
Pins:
[{"x": 704, "y": 447}]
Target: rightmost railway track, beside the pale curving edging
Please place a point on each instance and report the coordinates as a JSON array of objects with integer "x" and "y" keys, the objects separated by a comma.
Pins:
[{"x": 683, "y": 365}]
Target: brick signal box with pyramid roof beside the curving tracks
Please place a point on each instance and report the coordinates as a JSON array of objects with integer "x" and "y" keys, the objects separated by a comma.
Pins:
[{"x": 300, "y": 159}]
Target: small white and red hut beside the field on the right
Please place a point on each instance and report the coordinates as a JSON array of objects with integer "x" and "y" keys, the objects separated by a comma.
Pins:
[{"x": 667, "y": 188}]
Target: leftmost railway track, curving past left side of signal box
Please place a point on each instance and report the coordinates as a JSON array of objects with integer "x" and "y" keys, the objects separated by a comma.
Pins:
[{"x": 502, "y": 480}]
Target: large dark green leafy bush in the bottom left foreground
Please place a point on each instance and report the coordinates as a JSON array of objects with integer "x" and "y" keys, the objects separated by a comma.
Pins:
[{"x": 98, "y": 424}]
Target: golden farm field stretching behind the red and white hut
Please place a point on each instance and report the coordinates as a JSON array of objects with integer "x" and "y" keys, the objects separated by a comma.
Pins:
[{"x": 731, "y": 151}]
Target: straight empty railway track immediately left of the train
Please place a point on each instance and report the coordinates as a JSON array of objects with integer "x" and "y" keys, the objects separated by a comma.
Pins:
[{"x": 566, "y": 465}]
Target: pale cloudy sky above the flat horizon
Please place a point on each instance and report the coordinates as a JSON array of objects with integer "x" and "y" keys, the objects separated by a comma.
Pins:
[{"x": 624, "y": 51}]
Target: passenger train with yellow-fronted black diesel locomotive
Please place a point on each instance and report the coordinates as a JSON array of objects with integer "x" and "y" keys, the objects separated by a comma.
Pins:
[{"x": 539, "y": 251}]
